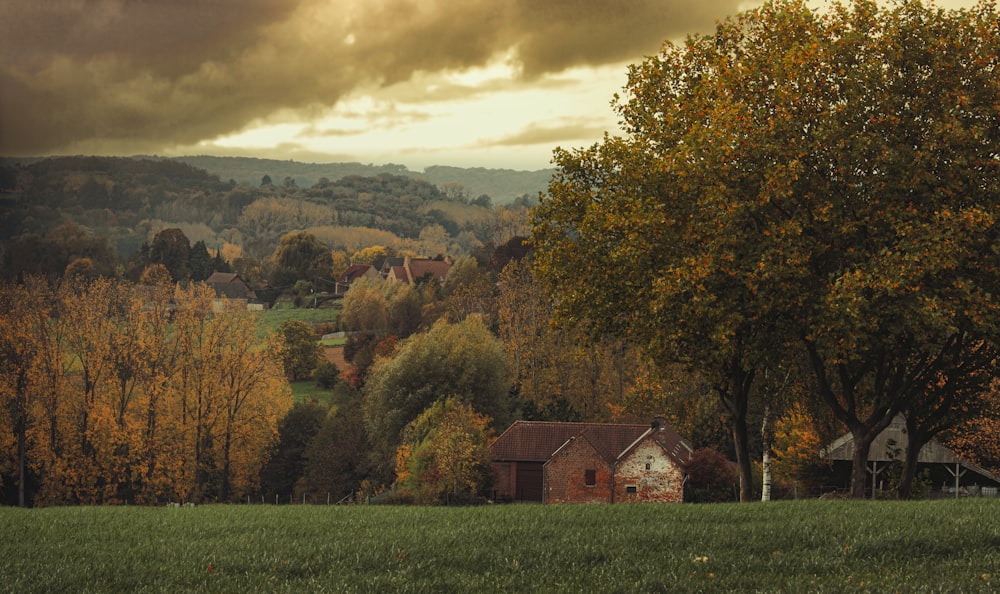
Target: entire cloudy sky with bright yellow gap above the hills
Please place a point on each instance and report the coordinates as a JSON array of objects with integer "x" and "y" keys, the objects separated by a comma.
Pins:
[{"x": 468, "y": 83}]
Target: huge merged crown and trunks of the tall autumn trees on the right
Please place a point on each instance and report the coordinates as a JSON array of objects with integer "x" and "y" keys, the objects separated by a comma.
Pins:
[{"x": 819, "y": 181}]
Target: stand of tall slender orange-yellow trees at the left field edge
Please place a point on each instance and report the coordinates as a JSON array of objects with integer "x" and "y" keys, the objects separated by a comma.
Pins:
[{"x": 136, "y": 397}]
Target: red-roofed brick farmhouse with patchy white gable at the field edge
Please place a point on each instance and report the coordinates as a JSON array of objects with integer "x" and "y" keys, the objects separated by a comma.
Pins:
[{"x": 589, "y": 462}]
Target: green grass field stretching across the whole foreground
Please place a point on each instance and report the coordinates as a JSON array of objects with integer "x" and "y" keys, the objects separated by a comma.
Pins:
[{"x": 803, "y": 546}]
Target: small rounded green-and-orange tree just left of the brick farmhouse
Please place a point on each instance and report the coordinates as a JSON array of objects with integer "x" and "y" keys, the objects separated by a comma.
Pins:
[{"x": 445, "y": 454}]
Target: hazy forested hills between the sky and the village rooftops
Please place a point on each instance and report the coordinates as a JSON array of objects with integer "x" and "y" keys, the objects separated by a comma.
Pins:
[{"x": 127, "y": 201}]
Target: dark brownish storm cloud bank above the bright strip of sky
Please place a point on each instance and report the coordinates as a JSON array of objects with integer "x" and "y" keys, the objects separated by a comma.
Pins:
[{"x": 122, "y": 76}]
